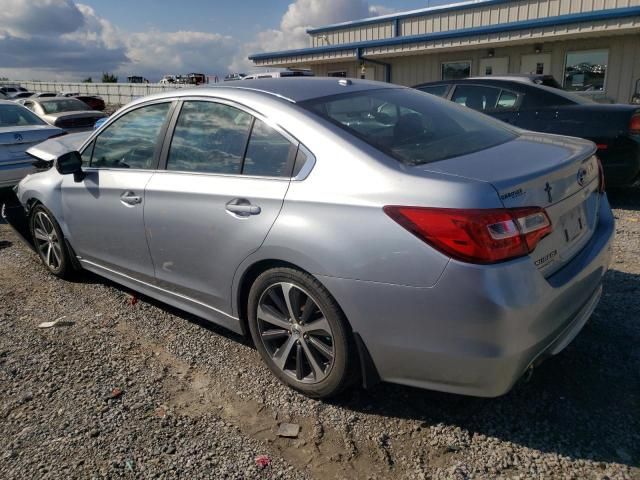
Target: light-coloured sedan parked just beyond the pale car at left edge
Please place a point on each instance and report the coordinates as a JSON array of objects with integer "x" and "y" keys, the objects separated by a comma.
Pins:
[{"x": 70, "y": 114}]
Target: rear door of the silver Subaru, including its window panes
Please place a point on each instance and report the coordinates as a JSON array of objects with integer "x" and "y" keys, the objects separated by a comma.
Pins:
[{"x": 227, "y": 172}]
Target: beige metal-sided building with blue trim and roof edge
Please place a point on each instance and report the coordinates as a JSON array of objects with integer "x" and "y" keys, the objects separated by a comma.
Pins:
[{"x": 590, "y": 46}]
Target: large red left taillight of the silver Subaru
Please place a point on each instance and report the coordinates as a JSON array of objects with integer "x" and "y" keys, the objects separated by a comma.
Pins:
[{"x": 476, "y": 235}]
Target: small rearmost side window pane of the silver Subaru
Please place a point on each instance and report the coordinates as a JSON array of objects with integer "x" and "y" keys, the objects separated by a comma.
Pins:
[{"x": 268, "y": 152}]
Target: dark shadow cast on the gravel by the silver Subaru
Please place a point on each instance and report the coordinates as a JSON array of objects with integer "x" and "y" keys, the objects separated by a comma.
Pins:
[{"x": 581, "y": 404}]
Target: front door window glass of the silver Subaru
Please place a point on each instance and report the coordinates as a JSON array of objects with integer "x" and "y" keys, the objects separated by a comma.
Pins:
[{"x": 130, "y": 141}]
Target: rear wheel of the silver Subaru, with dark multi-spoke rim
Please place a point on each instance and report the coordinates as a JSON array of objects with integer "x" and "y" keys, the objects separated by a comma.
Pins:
[{"x": 313, "y": 354}]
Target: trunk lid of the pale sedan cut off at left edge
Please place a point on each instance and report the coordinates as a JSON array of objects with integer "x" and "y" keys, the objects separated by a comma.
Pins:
[{"x": 15, "y": 141}]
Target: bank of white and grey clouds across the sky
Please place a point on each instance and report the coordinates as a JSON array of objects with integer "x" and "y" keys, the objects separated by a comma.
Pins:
[{"x": 63, "y": 40}]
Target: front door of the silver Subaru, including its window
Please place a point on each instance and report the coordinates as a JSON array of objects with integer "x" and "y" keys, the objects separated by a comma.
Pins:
[{"x": 104, "y": 210}]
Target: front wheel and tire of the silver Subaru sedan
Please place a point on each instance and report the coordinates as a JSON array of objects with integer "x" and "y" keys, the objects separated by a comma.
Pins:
[{"x": 49, "y": 242}]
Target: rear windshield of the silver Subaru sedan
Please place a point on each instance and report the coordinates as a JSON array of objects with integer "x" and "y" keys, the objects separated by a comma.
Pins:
[{"x": 413, "y": 127}]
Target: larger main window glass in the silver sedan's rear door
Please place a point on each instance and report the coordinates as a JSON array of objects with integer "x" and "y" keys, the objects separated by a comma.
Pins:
[{"x": 209, "y": 138}]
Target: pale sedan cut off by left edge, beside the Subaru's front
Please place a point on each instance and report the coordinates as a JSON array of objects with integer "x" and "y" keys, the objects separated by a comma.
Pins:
[{"x": 19, "y": 130}]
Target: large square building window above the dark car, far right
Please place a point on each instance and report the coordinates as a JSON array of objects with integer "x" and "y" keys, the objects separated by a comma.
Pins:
[{"x": 586, "y": 71}]
